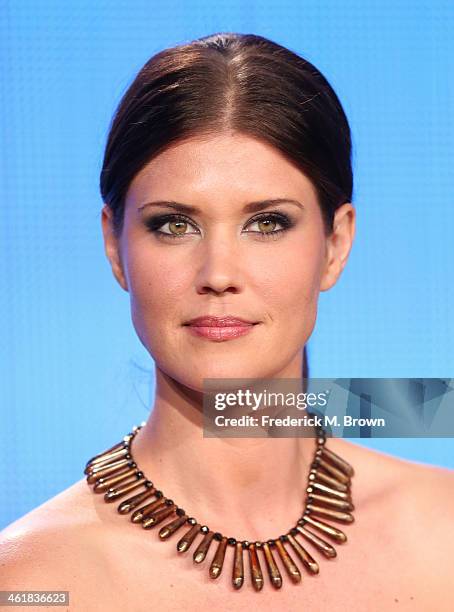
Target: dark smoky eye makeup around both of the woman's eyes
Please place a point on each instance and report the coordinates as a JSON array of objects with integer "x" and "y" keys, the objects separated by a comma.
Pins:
[{"x": 156, "y": 222}]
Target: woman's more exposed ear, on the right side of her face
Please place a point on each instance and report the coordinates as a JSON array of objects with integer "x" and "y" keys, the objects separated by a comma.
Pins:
[{"x": 339, "y": 244}]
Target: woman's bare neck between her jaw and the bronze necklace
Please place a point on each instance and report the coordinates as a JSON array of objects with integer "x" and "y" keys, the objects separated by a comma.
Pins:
[{"x": 248, "y": 488}]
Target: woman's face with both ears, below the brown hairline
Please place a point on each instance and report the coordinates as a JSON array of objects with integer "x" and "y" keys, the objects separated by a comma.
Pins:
[{"x": 266, "y": 263}]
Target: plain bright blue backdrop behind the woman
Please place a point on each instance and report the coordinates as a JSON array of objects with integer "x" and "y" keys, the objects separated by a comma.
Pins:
[{"x": 74, "y": 375}]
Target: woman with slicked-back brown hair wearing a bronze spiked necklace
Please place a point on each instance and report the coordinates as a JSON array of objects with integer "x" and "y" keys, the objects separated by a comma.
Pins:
[{"x": 227, "y": 188}]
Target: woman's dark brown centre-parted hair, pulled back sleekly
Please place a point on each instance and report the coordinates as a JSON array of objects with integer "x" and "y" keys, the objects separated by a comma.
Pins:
[{"x": 241, "y": 83}]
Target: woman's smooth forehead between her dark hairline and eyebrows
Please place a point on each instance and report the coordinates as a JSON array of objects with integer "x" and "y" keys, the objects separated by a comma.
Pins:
[{"x": 230, "y": 167}]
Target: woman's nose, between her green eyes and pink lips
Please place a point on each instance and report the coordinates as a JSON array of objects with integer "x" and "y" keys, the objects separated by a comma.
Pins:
[{"x": 219, "y": 267}]
